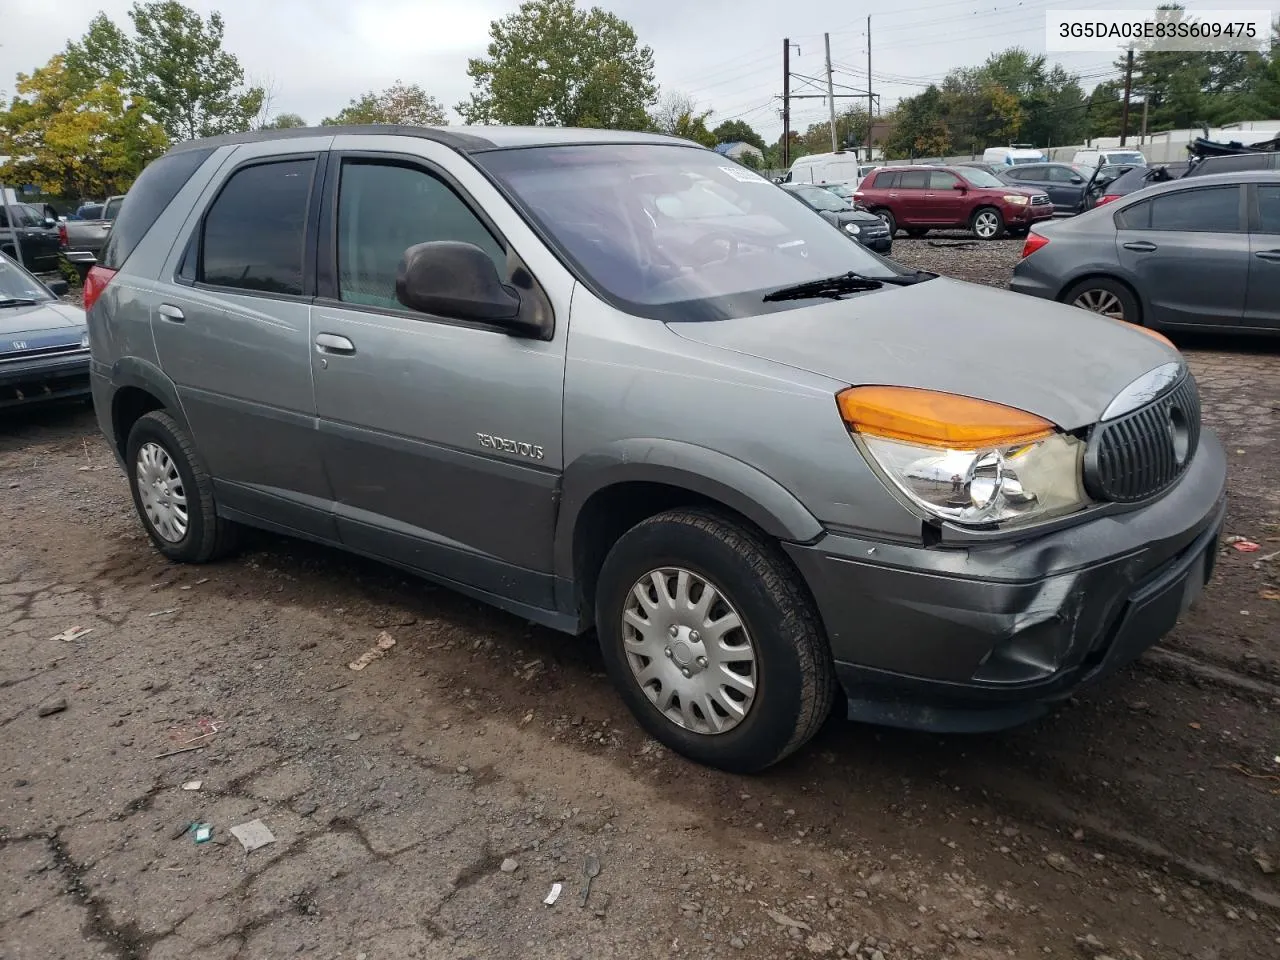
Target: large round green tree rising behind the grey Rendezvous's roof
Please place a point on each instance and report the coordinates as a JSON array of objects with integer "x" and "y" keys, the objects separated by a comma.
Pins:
[{"x": 551, "y": 63}]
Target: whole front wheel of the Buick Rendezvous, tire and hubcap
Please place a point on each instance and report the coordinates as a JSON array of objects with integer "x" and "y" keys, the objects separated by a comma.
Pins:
[{"x": 755, "y": 694}]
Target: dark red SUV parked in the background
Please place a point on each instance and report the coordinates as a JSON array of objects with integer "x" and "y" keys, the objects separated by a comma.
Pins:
[{"x": 922, "y": 198}]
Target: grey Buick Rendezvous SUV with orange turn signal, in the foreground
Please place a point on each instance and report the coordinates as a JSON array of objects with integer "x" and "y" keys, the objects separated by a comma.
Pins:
[{"x": 611, "y": 382}]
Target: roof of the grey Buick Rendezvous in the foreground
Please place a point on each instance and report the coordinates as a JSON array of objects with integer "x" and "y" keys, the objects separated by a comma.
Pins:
[{"x": 467, "y": 140}]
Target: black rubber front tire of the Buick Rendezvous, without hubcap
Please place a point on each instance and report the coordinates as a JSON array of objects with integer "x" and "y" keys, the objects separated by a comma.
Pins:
[{"x": 794, "y": 671}]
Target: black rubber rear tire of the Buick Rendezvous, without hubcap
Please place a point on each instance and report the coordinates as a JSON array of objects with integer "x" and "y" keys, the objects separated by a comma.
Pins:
[{"x": 208, "y": 537}]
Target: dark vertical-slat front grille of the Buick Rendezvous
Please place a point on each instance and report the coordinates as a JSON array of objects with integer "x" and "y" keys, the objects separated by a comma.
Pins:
[{"x": 1142, "y": 454}]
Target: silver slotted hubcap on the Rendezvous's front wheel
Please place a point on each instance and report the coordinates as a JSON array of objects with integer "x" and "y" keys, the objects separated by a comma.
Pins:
[{"x": 689, "y": 651}]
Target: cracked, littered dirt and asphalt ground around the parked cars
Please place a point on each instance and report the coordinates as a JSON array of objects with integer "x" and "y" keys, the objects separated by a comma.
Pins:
[{"x": 426, "y": 806}]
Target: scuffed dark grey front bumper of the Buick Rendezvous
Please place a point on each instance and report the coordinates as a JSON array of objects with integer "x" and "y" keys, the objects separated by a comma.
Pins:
[{"x": 990, "y": 637}]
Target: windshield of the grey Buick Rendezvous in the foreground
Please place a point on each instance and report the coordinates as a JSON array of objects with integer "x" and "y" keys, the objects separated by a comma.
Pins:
[{"x": 676, "y": 234}]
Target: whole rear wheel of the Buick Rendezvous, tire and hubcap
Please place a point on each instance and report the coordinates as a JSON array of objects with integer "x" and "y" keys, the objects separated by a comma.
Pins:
[{"x": 173, "y": 493}]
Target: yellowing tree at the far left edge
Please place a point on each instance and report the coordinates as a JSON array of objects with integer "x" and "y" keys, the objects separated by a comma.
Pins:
[{"x": 74, "y": 140}]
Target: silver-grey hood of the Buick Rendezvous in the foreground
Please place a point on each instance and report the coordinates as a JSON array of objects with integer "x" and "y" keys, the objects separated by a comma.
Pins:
[{"x": 1060, "y": 363}]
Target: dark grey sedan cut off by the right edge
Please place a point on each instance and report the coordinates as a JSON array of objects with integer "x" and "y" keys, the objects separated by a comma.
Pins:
[{"x": 1197, "y": 253}]
